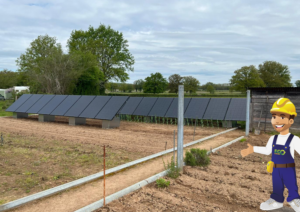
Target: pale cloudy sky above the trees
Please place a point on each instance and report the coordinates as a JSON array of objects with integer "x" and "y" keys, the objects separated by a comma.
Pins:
[{"x": 205, "y": 39}]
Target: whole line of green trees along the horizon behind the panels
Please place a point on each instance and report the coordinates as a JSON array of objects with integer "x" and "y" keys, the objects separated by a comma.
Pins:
[{"x": 98, "y": 56}]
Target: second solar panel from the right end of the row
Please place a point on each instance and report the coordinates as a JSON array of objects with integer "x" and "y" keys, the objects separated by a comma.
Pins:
[{"x": 217, "y": 108}]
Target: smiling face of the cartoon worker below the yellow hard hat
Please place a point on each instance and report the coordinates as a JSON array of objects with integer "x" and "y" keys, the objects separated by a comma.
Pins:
[{"x": 280, "y": 121}]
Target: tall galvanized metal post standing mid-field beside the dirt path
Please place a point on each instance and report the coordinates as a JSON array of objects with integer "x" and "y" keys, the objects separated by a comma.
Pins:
[{"x": 180, "y": 127}]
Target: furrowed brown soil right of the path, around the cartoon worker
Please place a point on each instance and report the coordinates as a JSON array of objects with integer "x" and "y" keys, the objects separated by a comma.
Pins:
[{"x": 229, "y": 184}]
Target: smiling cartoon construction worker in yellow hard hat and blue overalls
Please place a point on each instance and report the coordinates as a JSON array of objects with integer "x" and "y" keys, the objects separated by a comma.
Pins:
[{"x": 282, "y": 147}]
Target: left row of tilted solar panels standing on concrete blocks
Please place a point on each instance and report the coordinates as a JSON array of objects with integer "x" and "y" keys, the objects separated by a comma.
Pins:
[{"x": 99, "y": 107}]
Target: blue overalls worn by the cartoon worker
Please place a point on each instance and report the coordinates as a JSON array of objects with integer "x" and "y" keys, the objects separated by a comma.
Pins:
[{"x": 283, "y": 176}]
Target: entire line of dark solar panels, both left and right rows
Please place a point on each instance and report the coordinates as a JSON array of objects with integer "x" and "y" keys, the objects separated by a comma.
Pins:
[{"x": 106, "y": 107}]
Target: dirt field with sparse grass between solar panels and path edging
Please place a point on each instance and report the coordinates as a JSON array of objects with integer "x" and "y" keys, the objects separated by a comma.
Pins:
[{"x": 38, "y": 156}]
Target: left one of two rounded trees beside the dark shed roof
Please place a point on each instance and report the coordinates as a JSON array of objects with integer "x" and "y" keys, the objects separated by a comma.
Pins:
[{"x": 246, "y": 77}]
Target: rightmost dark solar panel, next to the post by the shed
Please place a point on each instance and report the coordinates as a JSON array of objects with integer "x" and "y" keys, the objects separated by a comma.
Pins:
[{"x": 237, "y": 110}]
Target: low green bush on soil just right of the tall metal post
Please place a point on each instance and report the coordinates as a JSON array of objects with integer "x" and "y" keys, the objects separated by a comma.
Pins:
[{"x": 197, "y": 157}]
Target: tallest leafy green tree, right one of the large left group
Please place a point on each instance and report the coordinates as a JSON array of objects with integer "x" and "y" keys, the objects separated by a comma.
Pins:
[{"x": 110, "y": 49}]
